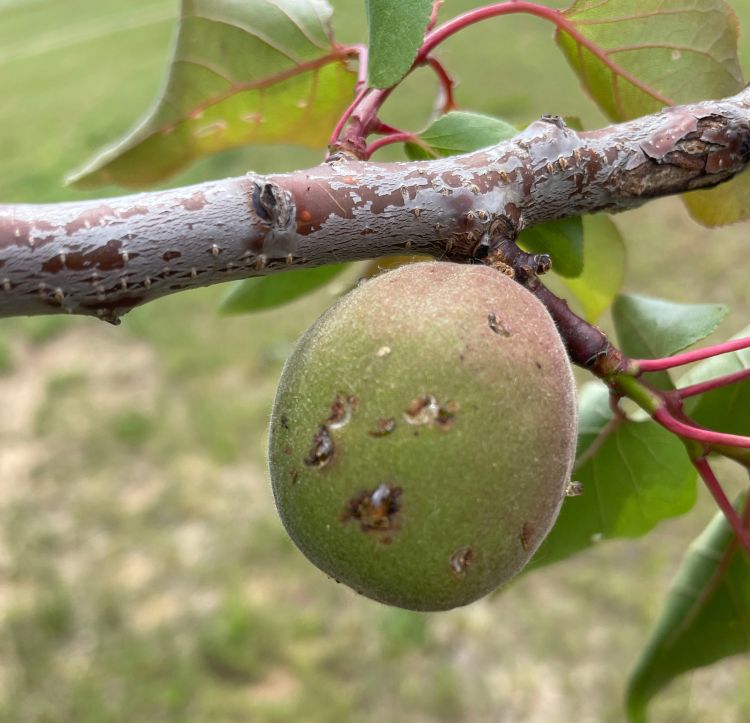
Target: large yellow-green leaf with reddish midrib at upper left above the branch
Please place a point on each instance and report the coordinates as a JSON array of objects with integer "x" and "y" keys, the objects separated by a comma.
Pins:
[{"x": 251, "y": 72}]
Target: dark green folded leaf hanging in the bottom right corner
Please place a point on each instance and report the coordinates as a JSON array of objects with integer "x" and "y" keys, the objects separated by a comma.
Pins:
[{"x": 706, "y": 616}]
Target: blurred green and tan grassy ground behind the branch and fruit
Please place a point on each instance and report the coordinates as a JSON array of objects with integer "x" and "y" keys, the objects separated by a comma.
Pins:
[{"x": 143, "y": 573}]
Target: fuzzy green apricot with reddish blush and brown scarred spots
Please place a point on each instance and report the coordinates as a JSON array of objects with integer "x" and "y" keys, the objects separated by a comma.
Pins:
[{"x": 423, "y": 434}]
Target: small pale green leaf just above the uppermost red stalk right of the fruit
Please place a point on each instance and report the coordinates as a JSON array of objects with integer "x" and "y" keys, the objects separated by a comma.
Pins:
[{"x": 653, "y": 328}]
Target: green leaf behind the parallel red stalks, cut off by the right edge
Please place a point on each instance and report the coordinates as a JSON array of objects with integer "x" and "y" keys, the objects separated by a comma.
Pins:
[{"x": 725, "y": 409}]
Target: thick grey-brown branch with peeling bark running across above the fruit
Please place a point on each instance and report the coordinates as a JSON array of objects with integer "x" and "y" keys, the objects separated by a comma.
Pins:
[{"x": 105, "y": 257}]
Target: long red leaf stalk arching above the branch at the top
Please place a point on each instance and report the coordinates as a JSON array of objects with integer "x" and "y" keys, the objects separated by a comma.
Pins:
[{"x": 460, "y": 22}]
